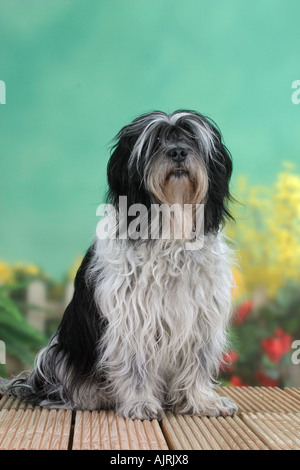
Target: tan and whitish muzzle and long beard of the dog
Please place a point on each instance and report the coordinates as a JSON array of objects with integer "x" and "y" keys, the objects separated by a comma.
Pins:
[{"x": 178, "y": 187}]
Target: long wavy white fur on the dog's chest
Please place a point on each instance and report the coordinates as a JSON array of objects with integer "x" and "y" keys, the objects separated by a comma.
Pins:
[{"x": 161, "y": 302}]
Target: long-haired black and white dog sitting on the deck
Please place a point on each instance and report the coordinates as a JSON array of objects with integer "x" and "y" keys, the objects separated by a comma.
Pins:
[{"x": 146, "y": 328}]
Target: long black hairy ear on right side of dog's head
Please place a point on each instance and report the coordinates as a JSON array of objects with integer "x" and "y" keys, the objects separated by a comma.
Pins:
[{"x": 219, "y": 169}]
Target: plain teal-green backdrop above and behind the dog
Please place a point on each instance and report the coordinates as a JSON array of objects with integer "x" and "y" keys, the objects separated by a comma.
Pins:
[{"x": 77, "y": 71}]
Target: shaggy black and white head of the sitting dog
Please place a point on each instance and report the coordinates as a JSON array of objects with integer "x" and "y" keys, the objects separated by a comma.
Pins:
[{"x": 175, "y": 158}]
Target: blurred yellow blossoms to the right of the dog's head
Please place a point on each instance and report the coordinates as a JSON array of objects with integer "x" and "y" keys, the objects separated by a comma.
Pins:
[{"x": 267, "y": 232}]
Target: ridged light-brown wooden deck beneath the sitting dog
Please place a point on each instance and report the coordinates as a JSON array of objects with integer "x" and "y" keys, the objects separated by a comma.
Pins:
[{"x": 268, "y": 418}]
